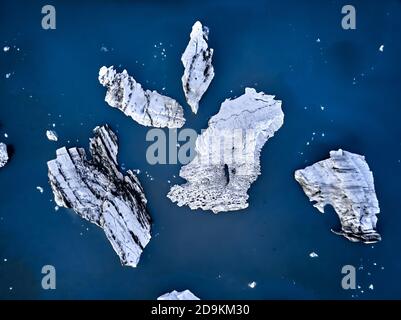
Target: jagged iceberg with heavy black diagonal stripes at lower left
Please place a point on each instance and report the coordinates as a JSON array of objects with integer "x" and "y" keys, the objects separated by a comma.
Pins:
[{"x": 97, "y": 191}]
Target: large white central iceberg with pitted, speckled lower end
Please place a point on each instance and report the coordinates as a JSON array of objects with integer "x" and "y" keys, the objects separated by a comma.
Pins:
[{"x": 227, "y": 154}]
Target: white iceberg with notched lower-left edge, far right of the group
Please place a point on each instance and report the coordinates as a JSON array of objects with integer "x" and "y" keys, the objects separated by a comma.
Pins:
[{"x": 345, "y": 182}]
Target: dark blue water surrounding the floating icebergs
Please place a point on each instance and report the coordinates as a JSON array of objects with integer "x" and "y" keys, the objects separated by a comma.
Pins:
[{"x": 342, "y": 88}]
